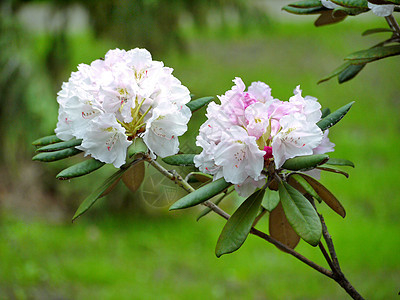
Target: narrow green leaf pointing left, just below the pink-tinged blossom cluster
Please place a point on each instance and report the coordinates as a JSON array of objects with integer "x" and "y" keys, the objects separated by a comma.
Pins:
[{"x": 200, "y": 195}]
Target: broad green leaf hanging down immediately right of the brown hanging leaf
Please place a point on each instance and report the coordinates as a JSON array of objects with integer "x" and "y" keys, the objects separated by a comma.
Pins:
[{"x": 301, "y": 214}]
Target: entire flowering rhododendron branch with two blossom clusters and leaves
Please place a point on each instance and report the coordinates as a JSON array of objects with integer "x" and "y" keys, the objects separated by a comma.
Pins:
[{"x": 127, "y": 110}]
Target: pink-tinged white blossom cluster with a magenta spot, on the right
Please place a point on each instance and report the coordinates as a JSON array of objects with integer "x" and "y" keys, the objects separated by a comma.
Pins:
[{"x": 249, "y": 130}]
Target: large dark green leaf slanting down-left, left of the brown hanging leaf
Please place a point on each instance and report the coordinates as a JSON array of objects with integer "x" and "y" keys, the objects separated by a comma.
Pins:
[{"x": 238, "y": 226}]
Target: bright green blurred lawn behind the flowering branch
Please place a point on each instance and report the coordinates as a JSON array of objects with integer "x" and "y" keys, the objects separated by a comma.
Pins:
[{"x": 107, "y": 256}]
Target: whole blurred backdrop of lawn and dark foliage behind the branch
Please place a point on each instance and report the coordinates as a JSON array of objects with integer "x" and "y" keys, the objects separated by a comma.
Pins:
[{"x": 128, "y": 247}]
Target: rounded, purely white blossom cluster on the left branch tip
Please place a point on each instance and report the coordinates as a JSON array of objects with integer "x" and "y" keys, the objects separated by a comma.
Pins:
[{"x": 113, "y": 100}]
